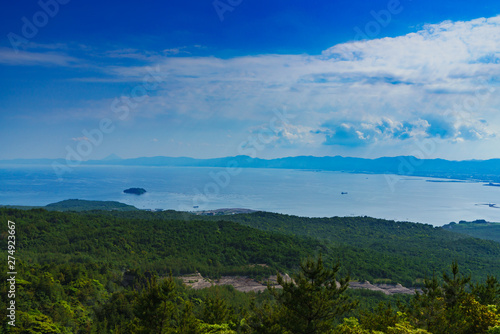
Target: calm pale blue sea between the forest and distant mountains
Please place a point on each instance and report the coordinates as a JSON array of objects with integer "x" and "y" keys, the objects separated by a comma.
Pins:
[{"x": 296, "y": 192}]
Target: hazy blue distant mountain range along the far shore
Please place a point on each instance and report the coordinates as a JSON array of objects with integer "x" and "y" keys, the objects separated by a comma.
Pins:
[{"x": 479, "y": 170}]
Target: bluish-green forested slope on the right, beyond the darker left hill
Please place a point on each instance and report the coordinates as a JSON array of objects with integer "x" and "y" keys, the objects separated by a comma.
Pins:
[{"x": 370, "y": 249}]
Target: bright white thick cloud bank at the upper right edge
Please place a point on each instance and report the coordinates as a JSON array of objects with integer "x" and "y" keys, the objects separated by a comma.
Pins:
[{"x": 438, "y": 54}]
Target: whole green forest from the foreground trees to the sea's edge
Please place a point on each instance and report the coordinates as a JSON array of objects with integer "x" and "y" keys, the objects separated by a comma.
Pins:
[{"x": 118, "y": 272}]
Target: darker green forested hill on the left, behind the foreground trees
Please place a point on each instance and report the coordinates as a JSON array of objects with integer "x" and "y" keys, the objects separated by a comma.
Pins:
[{"x": 210, "y": 247}]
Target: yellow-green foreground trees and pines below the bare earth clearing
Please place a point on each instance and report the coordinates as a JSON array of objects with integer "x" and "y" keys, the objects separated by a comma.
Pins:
[{"x": 88, "y": 298}]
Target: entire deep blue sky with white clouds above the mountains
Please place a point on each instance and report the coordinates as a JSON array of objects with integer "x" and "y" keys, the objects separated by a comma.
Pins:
[{"x": 263, "y": 78}]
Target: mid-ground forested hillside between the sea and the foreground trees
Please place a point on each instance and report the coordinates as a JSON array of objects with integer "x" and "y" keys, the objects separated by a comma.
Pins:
[{"x": 370, "y": 249}]
